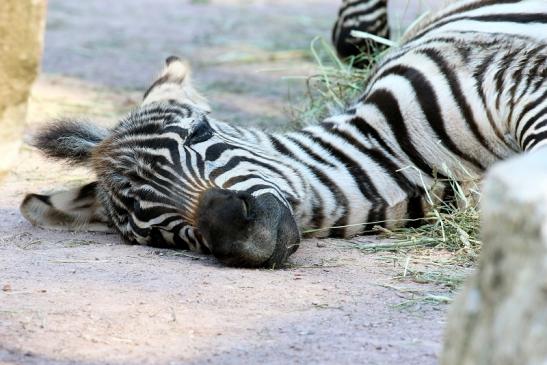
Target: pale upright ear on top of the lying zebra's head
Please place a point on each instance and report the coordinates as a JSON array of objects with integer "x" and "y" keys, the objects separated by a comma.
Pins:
[{"x": 174, "y": 83}]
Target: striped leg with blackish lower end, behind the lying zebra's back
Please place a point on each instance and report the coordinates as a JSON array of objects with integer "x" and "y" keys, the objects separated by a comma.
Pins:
[{"x": 364, "y": 15}]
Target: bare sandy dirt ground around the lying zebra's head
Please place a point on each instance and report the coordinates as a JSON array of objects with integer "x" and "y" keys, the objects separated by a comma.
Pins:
[{"x": 86, "y": 298}]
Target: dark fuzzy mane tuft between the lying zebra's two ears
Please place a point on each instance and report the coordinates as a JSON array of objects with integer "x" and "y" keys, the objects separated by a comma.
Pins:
[{"x": 69, "y": 140}]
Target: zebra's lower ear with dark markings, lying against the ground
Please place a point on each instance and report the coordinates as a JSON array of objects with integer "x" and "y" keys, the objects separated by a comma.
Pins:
[{"x": 74, "y": 209}]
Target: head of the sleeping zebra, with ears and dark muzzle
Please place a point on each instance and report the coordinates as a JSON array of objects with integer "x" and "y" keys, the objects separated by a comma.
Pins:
[{"x": 161, "y": 180}]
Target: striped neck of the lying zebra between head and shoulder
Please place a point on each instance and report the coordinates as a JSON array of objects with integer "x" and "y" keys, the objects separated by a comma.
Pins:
[{"x": 346, "y": 178}]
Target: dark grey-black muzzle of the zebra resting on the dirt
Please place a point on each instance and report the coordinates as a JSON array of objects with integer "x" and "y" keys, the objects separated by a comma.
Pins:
[{"x": 247, "y": 231}]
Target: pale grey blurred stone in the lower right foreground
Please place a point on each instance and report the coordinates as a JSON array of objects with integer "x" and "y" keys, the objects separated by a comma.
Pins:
[{"x": 500, "y": 318}]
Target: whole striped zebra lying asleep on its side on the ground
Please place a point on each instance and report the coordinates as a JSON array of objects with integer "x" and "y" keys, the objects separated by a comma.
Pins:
[{"x": 466, "y": 89}]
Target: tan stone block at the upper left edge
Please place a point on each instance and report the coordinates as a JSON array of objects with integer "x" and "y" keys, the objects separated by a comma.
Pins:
[{"x": 21, "y": 37}]
